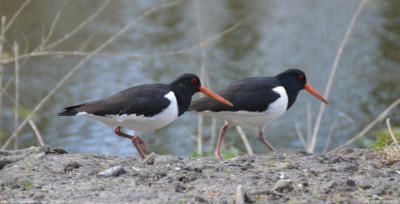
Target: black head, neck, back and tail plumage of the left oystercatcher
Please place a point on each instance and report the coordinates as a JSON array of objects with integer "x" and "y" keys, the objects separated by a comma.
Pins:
[{"x": 147, "y": 100}]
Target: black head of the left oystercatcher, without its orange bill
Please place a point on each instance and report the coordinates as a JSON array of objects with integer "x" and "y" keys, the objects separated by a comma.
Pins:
[{"x": 187, "y": 84}]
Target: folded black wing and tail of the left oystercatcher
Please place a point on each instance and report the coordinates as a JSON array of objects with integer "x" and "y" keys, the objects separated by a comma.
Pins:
[{"x": 147, "y": 100}]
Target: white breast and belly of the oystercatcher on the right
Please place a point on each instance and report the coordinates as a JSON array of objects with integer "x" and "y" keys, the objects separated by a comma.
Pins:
[{"x": 255, "y": 119}]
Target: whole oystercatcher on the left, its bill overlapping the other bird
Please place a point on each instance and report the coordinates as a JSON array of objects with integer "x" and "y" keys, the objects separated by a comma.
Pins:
[{"x": 145, "y": 107}]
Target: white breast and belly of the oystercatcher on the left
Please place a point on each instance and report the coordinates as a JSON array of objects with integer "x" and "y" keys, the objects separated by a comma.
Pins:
[{"x": 141, "y": 123}]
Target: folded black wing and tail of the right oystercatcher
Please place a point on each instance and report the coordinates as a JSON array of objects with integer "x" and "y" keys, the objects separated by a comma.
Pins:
[{"x": 252, "y": 94}]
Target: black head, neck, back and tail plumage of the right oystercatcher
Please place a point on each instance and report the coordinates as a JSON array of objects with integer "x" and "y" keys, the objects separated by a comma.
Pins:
[{"x": 254, "y": 94}]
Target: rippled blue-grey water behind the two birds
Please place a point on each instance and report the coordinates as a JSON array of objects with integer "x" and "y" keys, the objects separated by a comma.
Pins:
[{"x": 272, "y": 36}]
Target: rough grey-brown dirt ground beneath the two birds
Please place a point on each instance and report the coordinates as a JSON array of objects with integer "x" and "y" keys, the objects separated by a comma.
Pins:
[{"x": 51, "y": 175}]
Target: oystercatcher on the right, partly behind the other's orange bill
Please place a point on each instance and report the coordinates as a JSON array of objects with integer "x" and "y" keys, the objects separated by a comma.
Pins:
[{"x": 257, "y": 101}]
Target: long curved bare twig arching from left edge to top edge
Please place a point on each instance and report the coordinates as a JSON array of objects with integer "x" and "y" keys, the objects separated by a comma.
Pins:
[{"x": 83, "y": 61}]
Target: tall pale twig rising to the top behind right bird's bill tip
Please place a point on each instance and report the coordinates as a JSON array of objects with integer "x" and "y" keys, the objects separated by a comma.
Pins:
[{"x": 332, "y": 73}]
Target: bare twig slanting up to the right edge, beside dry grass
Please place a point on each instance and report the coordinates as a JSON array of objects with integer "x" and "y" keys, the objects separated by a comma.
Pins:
[{"x": 379, "y": 118}]
